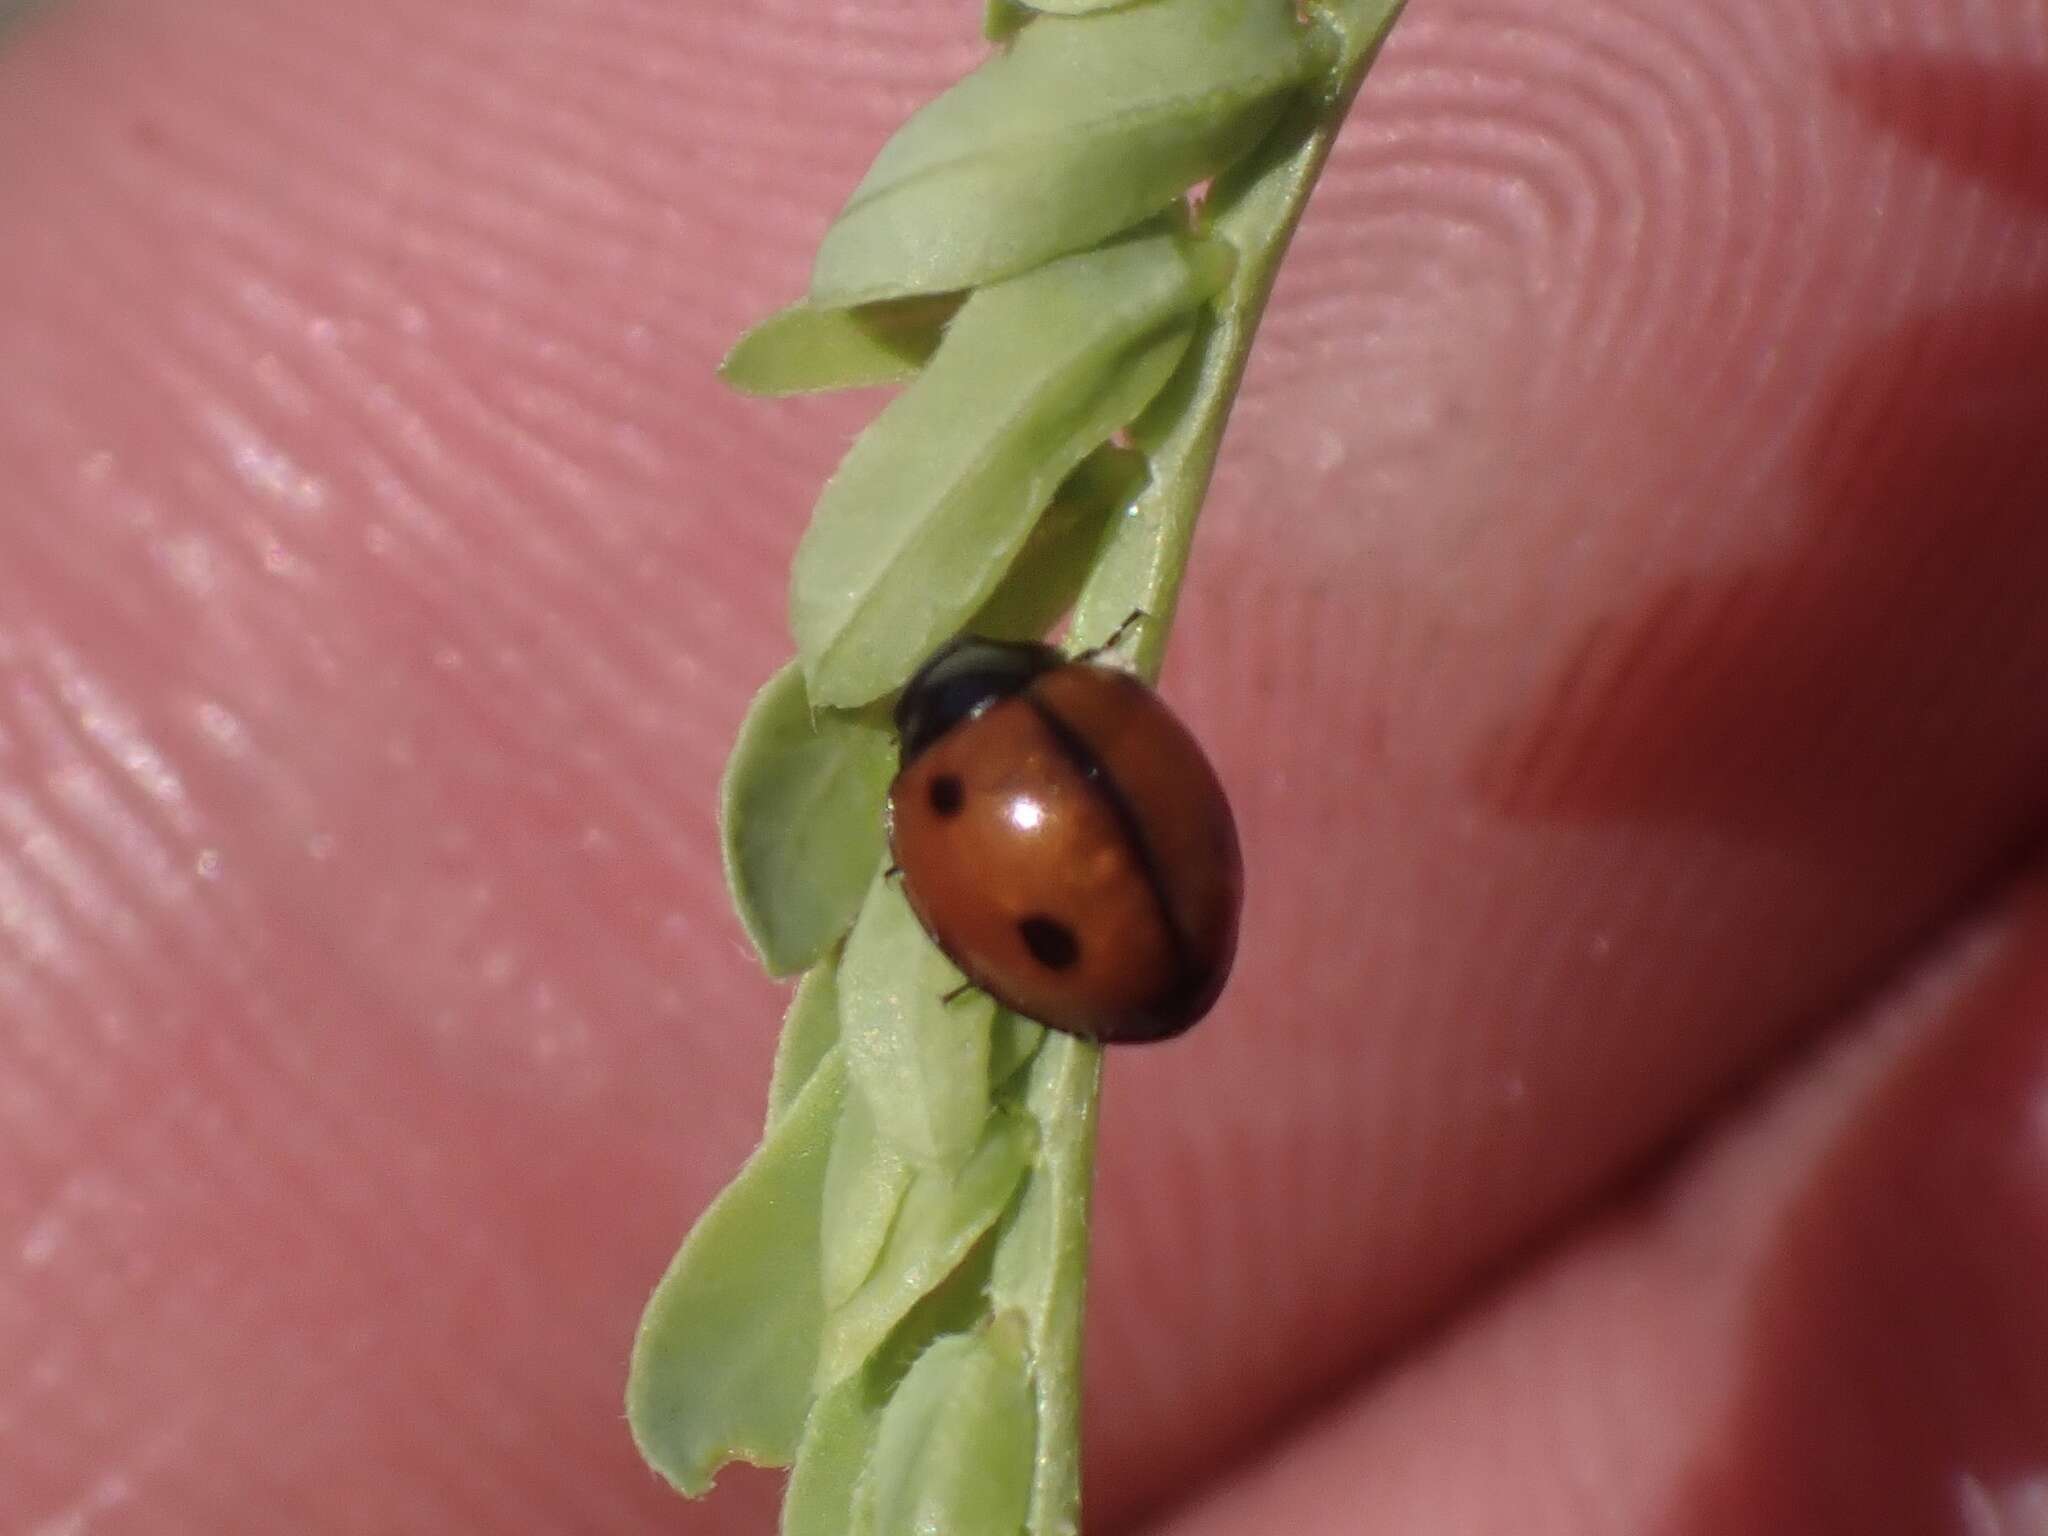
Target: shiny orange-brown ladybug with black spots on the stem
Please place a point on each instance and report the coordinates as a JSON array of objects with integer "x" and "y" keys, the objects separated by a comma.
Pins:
[{"x": 1064, "y": 841}]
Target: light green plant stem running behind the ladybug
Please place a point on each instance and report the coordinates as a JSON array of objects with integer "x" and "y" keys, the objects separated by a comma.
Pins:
[{"x": 1256, "y": 208}]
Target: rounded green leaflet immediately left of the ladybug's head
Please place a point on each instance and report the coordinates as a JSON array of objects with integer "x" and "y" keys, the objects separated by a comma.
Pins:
[{"x": 802, "y": 822}]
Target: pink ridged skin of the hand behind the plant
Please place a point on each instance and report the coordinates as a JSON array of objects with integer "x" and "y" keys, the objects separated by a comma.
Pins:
[{"x": 1617, "y": 624}]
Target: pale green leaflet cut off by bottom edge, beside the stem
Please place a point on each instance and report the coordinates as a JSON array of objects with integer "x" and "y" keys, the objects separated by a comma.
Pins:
[{"x": 955, "y": 1447}]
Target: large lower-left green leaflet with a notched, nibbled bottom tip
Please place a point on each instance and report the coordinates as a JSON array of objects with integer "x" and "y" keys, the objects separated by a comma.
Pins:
[{"x": 724, "y": 1359}]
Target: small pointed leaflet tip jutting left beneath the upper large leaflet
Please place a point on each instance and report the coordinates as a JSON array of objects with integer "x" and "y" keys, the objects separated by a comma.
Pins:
[{"x": 806, "y": 349}]
